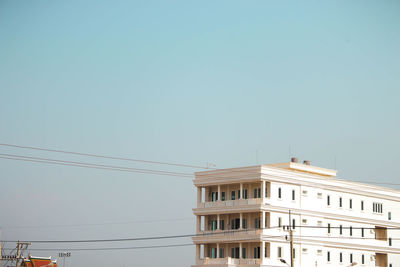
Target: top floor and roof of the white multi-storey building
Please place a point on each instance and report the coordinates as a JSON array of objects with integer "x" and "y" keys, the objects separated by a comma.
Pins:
[{"x": 294, "y": 186}]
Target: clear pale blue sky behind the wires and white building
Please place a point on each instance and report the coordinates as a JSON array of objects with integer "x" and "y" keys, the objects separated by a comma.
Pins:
[{"x": 190, "y": 82}]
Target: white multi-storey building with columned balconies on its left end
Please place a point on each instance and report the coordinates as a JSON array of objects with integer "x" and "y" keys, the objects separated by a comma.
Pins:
[{"x": 241, "y": 213}]
